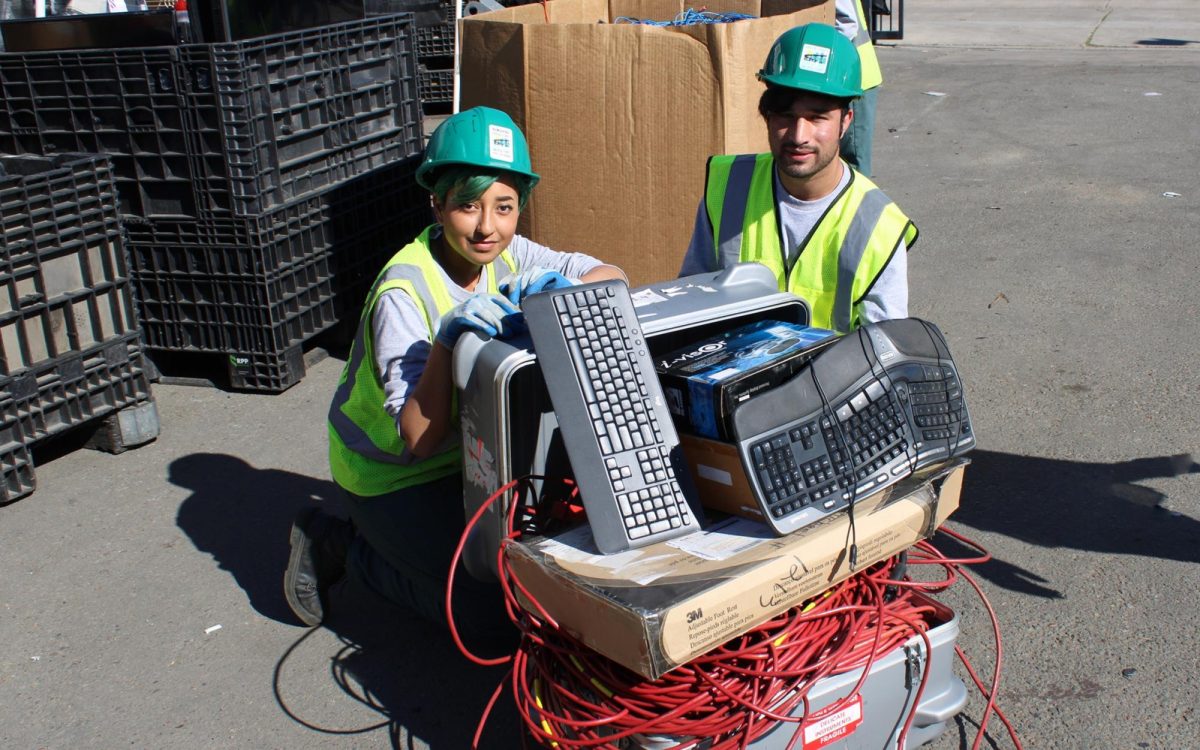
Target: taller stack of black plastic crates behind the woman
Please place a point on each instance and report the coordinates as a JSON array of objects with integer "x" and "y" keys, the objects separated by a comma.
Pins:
[{"x": 263, "y": 183}]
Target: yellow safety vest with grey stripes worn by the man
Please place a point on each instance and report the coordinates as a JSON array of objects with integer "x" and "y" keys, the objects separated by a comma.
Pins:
[{"x": 842, "y": 259}]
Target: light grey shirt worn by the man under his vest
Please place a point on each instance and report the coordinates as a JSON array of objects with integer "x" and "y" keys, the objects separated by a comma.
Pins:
[{"x": 886, "y": 301}]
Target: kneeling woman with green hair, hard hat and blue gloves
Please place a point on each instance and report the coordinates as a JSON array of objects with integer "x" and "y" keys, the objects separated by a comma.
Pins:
[{"x": 394, "y": 448}]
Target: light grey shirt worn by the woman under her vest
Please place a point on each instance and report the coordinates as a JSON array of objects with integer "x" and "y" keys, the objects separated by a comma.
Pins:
[{"x": 403, "y": 341}]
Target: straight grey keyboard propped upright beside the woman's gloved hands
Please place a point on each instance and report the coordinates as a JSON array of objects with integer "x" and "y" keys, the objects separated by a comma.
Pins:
[{"x": 622, "y": 445}]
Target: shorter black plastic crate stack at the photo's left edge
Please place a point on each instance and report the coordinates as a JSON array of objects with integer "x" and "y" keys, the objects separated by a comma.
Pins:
[{"x": 70, "y": 349}]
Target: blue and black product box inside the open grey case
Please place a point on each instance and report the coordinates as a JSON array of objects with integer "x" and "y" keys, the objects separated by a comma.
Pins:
[{"x": 705, "y": 381}]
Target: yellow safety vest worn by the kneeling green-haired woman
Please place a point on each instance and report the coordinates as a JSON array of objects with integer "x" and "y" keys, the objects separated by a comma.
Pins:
[{"x": 365, "y": 448}]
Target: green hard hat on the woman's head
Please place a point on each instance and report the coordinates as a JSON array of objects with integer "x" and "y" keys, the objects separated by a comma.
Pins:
[{"x": 477, "y": 137}]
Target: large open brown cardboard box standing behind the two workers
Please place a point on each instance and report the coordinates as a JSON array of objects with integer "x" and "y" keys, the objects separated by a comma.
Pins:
[{"x": 622, "y": 118}]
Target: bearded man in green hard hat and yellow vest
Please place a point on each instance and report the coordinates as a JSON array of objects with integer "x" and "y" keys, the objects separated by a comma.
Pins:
[{"x": 831, "y": 236}]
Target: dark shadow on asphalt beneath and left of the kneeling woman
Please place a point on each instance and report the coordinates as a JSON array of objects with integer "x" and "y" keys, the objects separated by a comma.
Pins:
[{"x": 401, "y": 668}]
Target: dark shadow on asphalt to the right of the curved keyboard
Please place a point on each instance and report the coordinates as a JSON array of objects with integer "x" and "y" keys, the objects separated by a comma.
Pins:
[{"x": 1076, "y": 505}]
